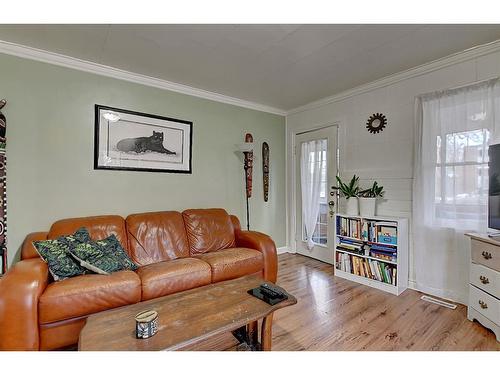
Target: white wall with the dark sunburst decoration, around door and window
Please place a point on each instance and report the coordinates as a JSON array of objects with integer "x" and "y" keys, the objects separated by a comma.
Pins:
[{"x": 387, "y": 156}]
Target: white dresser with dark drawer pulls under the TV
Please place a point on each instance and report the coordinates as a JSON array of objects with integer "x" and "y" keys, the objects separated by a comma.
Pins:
[{"x": 484, "y": 282}]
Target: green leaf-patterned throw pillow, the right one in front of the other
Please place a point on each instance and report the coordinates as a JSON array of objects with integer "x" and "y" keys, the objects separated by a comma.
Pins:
[{"x": 103, "y": 256}]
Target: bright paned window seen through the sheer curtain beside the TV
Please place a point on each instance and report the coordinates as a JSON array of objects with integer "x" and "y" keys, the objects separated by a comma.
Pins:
[{"x": 461, "y": 180}]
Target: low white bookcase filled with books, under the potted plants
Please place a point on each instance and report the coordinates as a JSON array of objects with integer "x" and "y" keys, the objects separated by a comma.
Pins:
[{"x": 401, "y": 262}]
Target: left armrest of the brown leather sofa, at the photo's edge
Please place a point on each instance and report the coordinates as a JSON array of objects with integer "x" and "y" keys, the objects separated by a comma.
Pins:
[{"x": 20, "y": 290}]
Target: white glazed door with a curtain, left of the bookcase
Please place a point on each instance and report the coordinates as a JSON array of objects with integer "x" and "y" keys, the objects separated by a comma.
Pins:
[{"x": 316, "y": 163}]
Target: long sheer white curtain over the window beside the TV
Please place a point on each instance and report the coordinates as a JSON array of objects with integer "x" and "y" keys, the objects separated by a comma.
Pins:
[{"x": 450, "y": 186}]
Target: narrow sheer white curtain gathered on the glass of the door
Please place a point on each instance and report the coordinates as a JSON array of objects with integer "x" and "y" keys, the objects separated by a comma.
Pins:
[{"x": 311, "y": 165}]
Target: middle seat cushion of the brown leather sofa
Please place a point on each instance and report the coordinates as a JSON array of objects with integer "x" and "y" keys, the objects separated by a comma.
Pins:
[{"x": 164, "y": 278}]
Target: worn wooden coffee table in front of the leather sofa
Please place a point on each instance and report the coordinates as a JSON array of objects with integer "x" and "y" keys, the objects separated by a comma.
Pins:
[{"x": 188, "y": 318}]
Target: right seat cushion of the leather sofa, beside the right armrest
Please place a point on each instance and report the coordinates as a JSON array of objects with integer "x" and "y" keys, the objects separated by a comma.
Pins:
[{"x": 232, "y": 263}]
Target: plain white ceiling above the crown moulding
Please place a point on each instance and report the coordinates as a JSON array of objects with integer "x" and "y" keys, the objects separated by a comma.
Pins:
[{"x": 283, "y": 66}]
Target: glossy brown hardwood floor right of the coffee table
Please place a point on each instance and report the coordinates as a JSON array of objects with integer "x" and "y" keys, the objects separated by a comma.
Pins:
[{"x": 337, "y": 314}]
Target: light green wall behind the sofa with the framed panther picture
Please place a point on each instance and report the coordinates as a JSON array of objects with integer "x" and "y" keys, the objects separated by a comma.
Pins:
[{"x": 50, "y": 146}]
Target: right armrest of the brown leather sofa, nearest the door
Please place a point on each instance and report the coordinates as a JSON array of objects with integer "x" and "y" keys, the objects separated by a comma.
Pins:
[{"x": 263, "y": 243}]
